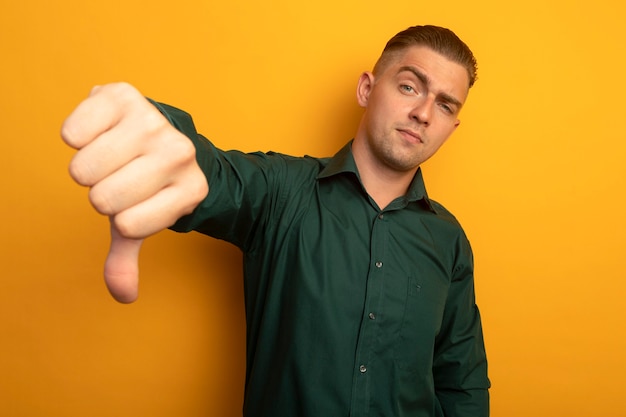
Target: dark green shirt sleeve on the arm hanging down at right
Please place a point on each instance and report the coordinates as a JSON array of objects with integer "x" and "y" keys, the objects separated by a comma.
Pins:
[{"x": 460, "y": 363}]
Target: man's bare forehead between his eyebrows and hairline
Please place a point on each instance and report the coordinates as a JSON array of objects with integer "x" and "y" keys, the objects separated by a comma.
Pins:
[{"x": 445, "y": 74}]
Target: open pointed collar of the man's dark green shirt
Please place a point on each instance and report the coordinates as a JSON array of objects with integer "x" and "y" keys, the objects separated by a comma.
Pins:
[{"x": 343, "y": 162}]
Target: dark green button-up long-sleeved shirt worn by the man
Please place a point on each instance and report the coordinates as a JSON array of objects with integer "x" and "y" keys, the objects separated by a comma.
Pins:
[{"x": 352, "y": 310}]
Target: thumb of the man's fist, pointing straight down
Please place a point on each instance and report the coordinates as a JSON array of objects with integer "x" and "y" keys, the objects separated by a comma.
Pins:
[{"x": 121, "y": 269}]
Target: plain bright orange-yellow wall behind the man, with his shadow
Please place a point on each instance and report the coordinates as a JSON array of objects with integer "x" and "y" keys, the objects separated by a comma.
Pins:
[{"x": 535, "y": 173}]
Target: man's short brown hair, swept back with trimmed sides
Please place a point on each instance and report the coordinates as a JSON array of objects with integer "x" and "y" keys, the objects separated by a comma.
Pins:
[{"x": 439, "y": 39}]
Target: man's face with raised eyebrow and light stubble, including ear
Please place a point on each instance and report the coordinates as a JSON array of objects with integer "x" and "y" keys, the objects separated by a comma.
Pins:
[{"x": 411, "y": 107}]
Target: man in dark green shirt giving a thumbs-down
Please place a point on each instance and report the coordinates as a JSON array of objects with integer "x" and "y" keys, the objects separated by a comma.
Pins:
[{"x": 359, "y": 289}]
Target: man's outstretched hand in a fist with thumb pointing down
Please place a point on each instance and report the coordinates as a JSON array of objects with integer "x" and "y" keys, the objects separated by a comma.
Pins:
[{"x": 142, "y": 173}]
